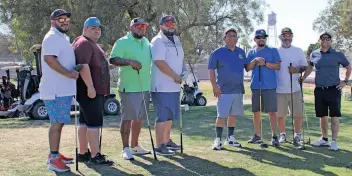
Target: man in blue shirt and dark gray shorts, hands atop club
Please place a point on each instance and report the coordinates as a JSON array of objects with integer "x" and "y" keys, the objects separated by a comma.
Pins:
[{"x": 268, "y": 60}]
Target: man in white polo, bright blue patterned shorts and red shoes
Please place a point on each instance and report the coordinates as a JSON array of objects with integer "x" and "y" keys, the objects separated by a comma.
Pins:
[{"x": 58, "y": 83}]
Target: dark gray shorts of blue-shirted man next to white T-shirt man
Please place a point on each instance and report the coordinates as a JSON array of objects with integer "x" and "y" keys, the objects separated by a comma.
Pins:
[{"x": 269, "y": 100}]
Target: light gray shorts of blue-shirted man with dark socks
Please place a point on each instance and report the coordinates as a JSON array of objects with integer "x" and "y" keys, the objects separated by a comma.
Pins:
[{"x": 230, "y": 104}]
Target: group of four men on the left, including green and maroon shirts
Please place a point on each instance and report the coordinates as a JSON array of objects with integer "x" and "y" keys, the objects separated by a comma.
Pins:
[{"x": 157, "y": 67}]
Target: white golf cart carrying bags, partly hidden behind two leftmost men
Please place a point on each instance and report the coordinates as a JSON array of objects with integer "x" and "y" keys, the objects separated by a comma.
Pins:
[{"x": 30, "y": 103}]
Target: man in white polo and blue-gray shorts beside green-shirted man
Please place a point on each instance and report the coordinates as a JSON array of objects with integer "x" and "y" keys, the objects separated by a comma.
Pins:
[{"x": 168, "y": 71}]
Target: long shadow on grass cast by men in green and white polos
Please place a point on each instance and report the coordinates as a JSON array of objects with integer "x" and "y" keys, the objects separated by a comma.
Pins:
[{"x": 188, "y": 165}]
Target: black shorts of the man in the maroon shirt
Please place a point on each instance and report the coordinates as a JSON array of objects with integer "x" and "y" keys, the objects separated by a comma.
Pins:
[{"x": 91, "y": 110}]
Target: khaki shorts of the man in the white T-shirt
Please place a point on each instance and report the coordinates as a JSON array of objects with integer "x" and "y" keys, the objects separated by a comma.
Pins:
[{"x": 284, "y": 104}]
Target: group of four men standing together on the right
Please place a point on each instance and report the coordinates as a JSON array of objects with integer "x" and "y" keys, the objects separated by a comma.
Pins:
[{"x": 272, "y": 86}]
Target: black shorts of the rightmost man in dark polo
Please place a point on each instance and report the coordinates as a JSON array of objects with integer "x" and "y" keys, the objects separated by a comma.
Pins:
[{"x": 327, "y": 101}]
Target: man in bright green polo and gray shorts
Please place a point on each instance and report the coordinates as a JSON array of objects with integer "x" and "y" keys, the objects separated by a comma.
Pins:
[{"x": 132, "y": 54}]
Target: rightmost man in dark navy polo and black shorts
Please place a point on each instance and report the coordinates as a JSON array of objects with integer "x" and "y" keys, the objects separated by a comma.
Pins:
[{"x": 327, "y": 93}]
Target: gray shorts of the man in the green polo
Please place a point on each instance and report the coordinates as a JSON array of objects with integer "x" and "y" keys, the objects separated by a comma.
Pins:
[{"x": 132, "y": 105}]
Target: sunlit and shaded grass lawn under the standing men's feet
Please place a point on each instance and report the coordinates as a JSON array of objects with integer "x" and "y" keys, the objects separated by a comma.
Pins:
[{"x": 24, "y": 148}]
